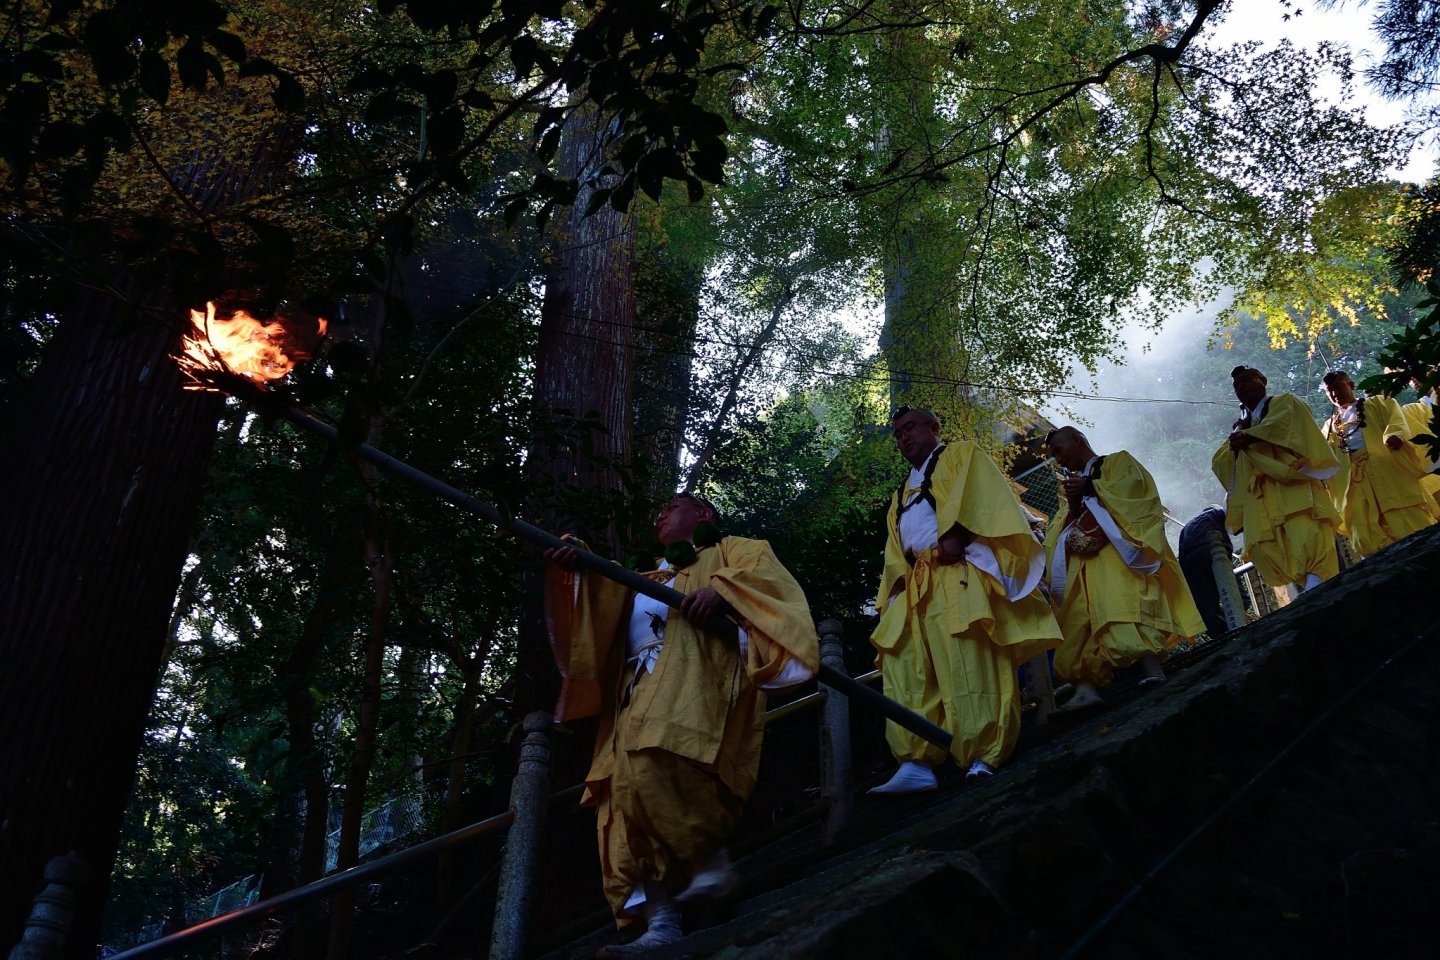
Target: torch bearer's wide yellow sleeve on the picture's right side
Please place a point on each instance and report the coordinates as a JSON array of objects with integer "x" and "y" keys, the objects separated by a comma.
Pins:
[{"x": 771, "y": 605}]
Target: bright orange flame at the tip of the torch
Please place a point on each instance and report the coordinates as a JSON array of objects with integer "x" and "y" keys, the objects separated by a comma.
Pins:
[{"x": 240, "y": 345}]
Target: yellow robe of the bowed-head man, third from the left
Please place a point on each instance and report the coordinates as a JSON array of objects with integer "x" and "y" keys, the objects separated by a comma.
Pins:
[{"x": 1112, "y": 614}]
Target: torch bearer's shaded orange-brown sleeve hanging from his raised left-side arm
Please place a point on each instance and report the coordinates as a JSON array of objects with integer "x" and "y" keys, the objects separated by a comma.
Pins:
[{"x": 584, "y": 614}]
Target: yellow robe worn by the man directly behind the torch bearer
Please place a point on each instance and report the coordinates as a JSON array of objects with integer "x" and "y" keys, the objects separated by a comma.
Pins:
[{"x": 950, "y": 644}]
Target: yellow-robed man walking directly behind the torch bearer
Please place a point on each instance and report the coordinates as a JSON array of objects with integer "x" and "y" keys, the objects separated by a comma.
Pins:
[{"x": 960, "y": 607}]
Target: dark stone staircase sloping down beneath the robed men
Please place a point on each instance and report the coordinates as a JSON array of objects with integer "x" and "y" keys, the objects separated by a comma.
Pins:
[{"x": 1278, "y": 798}]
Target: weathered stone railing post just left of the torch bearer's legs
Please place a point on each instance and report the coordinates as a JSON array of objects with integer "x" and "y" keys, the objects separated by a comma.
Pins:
[{"x": 529, "y": 801}]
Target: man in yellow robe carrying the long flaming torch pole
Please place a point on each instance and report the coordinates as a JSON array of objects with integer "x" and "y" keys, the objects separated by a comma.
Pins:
[{"x": 680, "y": 706}]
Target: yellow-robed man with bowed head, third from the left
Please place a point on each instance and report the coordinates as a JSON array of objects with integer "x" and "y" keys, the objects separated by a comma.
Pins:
[{"x": 1122, "y": 598}]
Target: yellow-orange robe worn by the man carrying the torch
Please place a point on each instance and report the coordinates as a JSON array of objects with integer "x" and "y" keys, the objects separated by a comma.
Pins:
[{"x": 678, "y": 758}]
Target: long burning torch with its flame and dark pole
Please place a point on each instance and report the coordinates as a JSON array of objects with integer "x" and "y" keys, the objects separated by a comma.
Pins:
[{"x": 241, "y": 355}]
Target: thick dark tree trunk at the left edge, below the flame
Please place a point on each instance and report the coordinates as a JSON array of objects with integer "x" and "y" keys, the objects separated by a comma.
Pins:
[{"x": 104, "y": 468}]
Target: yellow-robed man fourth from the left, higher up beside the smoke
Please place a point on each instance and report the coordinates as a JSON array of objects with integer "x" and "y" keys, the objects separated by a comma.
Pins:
[{"x": 1275, "y": 467}]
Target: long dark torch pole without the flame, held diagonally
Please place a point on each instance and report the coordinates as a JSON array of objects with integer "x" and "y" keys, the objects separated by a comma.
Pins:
[{"x": 608, "y": 569}]
